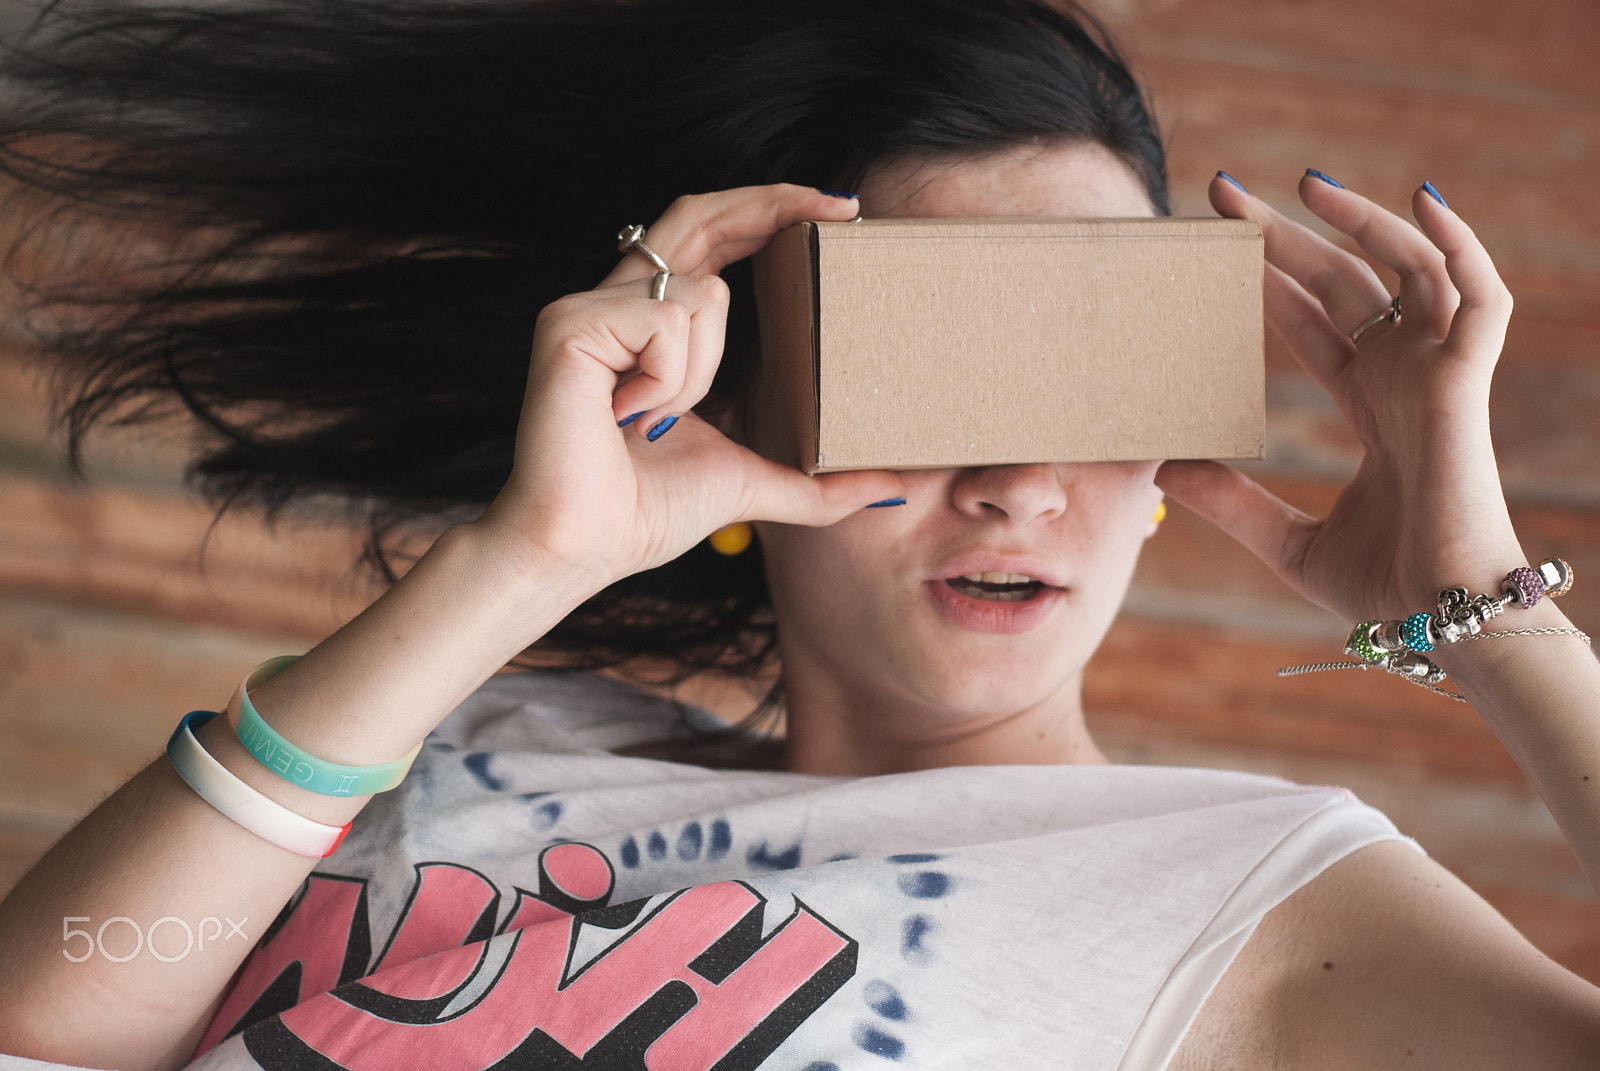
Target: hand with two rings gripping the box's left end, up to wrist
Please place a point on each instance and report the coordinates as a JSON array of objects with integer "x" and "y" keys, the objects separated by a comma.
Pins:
[{"x": 609, "y": 500}]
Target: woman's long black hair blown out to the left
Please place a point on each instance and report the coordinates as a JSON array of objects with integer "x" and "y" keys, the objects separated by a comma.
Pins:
[{"x": 359, "y": 207}]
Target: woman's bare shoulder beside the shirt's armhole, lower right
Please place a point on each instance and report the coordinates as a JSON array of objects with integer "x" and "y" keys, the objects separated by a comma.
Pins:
[{"x": 1390, "y": 961}]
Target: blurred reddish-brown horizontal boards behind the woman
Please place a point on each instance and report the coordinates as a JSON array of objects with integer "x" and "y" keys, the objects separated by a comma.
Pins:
[{"x": 113, "y": 622}]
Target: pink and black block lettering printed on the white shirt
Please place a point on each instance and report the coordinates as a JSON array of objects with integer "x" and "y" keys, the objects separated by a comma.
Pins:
[{"x": 684, "y": 984}]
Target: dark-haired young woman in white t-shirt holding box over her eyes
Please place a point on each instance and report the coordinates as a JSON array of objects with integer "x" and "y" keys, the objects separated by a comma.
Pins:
[{"x": 942, "y": 870}]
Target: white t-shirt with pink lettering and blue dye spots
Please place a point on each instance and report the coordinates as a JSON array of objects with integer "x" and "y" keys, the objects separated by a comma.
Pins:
[{"x": 529, "y": 901}]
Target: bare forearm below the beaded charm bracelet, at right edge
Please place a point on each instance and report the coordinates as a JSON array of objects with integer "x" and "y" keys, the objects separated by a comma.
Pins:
[{"x": 1542, "y": 697}]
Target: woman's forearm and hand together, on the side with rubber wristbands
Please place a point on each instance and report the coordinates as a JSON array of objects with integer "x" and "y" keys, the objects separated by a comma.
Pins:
[{"x": 586, "y": 503}]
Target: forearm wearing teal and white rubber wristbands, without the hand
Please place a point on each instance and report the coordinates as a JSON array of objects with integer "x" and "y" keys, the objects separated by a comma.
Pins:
[{"x": 156, "y": 849}]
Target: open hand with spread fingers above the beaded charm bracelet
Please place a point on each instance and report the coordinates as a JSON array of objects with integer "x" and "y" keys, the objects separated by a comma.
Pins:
[{"x": 1426, "y": 510}]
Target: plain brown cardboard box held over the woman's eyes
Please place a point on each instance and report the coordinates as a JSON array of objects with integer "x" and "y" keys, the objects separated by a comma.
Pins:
[{"x": 945, "y": 343}]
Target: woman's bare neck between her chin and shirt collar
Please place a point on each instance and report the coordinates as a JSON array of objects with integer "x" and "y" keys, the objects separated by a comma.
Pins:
[{"x": 838, "y": 729}]
